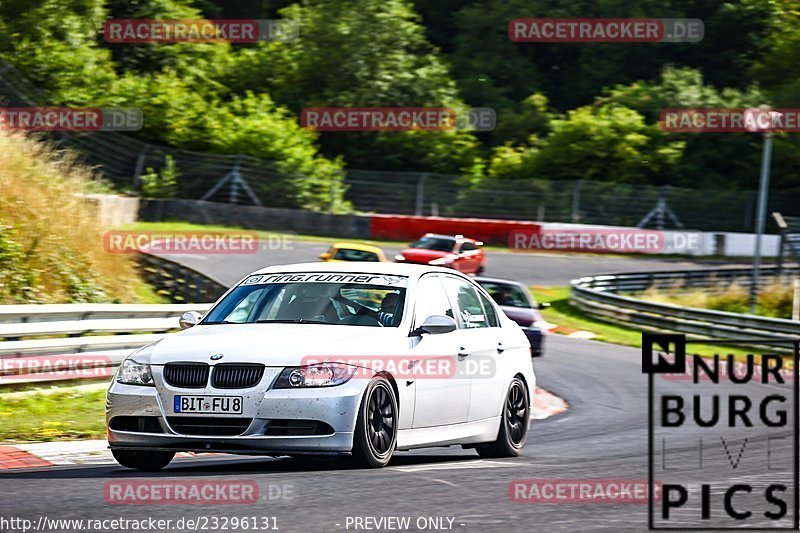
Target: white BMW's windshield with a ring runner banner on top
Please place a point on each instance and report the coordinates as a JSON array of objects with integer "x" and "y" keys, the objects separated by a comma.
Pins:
[{"x": 329, "y": 298}]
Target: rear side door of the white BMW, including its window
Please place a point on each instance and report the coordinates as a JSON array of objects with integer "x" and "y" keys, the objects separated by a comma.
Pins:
[{"x": 482, "y": 344}]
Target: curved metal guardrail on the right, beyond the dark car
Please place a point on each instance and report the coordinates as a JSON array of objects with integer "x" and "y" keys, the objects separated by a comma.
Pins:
[{"x": 604, "y": 298}]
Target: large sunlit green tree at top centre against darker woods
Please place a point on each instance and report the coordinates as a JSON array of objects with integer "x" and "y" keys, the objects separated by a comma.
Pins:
[{"x": 364, "y": 53}]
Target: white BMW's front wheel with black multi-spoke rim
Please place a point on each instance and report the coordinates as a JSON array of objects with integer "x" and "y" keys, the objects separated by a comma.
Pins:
[{"x": 375, "y": 437}]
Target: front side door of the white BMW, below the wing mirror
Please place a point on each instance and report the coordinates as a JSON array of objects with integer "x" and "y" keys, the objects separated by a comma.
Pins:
[{"x": 441, "y": 398}]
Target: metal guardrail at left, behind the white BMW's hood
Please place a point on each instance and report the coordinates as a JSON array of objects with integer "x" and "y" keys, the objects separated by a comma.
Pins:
[{"x": 56, "y": 342}]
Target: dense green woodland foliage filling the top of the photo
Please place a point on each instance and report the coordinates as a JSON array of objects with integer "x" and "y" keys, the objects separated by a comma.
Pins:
[{"x": 565, "y": 111}]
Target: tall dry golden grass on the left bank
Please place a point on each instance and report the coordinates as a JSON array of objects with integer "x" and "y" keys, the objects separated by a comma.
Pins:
[{"x": 51, "y": 240}]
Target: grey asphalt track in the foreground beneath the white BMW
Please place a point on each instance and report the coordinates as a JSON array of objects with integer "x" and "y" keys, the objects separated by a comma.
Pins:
[{"x": 602, "y": 436}]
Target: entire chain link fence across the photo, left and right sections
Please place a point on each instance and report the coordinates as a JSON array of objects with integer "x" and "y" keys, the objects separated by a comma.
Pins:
[{"x": 239, "y": 179}]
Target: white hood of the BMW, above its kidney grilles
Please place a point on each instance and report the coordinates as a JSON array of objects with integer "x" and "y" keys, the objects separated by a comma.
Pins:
[{"x": 271, "y": 344}]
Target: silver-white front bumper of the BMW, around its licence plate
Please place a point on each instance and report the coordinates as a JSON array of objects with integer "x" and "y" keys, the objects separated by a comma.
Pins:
[{"x": 275, "y": 421}]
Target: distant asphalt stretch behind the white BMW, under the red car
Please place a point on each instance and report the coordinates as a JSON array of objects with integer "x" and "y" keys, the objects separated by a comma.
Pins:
[{"x": 529, "y": 268}]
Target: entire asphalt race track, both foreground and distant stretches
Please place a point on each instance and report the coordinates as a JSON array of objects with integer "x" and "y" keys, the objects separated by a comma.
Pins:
[{"x": 603, "y": 436}]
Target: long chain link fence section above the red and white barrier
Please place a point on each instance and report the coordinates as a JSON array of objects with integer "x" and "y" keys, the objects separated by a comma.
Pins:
[{"x": 586, "y": 202}]
